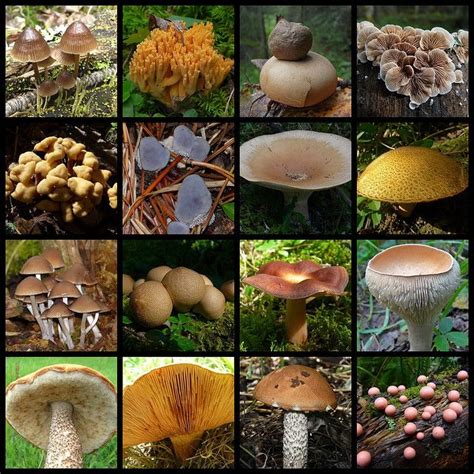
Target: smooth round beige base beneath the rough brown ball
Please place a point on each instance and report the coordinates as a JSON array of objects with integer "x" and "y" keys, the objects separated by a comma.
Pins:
[{"x": 299, "y": 83}]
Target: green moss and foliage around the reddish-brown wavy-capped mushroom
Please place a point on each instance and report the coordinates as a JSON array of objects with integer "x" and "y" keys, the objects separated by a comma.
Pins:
[{"x": 329, "y": 319}]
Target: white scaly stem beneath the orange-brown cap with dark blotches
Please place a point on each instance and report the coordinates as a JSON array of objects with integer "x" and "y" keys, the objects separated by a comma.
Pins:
[{"x": 295, "y": 440}]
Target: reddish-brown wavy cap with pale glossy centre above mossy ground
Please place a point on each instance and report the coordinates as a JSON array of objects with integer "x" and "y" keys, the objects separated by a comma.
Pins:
[{"x": 299, "y": 280}]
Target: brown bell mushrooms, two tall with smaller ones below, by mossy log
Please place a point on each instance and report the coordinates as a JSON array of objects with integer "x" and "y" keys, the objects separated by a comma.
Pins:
[{"x": 31, "y": 47}]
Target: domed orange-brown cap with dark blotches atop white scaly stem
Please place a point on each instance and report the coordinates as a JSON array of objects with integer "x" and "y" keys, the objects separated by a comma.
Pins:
[{"x": 296, "y": 388}]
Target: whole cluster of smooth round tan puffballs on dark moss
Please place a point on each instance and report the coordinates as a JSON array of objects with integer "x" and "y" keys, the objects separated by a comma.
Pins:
[{"x": 152, "y": 300}]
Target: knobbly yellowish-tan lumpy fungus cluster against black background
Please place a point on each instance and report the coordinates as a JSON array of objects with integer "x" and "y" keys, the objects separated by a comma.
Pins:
[{"x": 60, "y": 175}]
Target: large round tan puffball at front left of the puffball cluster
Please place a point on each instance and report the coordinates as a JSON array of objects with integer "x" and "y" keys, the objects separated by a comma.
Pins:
[{"x": 151, "y": 304}]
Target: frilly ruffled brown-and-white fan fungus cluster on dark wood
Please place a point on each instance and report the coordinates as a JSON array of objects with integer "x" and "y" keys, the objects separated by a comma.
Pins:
[{"x": 417, "y": 63}]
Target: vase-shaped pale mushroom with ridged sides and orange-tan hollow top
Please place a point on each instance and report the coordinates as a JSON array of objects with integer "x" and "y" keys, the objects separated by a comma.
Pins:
[{"x": 415, "y": 281}]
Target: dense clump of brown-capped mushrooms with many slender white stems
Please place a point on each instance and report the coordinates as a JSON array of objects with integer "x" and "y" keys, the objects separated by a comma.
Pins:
[{"x": 58, "y": 297}]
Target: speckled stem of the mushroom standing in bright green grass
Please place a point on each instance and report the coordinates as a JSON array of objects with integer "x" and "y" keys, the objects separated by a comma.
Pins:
[{"x": 64, "y": 446}]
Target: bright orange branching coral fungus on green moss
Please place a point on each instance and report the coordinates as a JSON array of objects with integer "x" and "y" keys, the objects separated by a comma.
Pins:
[{"x": 171, "y": 64}]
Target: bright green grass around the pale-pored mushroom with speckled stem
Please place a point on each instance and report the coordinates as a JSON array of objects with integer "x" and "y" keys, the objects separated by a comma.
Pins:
[{"x": 20, "y": 454}]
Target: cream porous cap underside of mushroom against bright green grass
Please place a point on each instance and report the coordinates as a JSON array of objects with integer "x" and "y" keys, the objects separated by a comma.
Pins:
[{"x": 92, "y": 396}]
